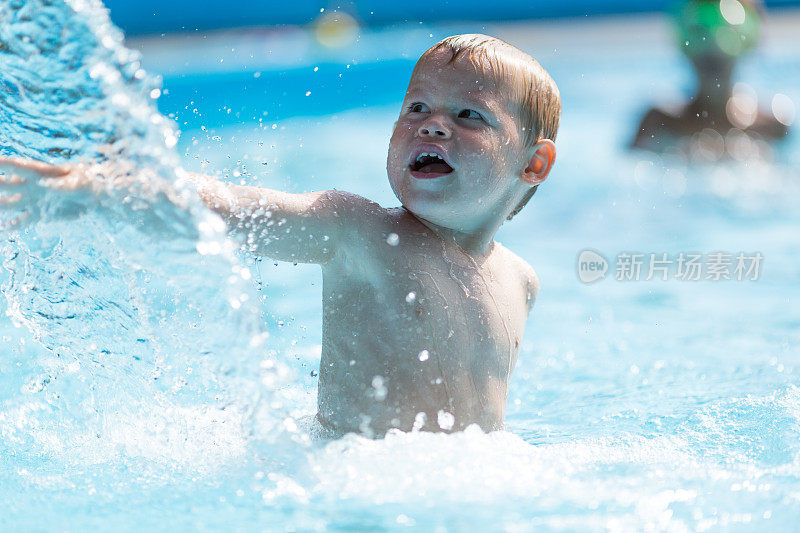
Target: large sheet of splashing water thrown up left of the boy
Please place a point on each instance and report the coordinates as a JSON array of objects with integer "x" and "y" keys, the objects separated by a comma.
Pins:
[{"x": 134, "y": 333}]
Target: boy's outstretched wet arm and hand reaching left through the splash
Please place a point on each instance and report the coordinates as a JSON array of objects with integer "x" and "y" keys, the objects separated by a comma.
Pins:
[{"x": 303, "y": 228}]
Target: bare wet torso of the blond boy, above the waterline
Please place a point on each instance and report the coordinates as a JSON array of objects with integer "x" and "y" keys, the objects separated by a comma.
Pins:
[{"x": 412, "y": 325}]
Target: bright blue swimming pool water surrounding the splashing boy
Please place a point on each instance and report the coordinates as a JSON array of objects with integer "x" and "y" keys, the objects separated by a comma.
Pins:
[{"x": 636, "y": 405}]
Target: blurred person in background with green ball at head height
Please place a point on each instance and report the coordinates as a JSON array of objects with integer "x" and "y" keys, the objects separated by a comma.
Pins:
[{"x": 713, "y": 35}]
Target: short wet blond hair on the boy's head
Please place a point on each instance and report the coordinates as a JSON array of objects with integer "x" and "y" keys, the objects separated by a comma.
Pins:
[{"x": 534, "y": 90}]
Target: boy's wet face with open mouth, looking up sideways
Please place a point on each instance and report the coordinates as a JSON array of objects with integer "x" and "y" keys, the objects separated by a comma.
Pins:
[{"x": 467, "y": 120}]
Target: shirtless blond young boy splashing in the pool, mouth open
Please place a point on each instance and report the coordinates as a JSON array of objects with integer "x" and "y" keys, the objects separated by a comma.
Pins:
[{"x": 423, "y": 312}]
